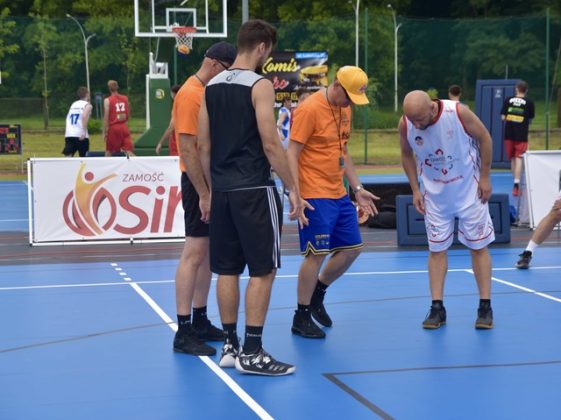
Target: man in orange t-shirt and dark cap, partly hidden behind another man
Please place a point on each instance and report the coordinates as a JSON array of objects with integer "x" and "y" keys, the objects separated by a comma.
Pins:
[{"x": 192, "y": 278}]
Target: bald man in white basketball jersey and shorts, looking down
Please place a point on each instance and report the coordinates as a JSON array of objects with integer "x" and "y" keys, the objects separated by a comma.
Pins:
[{"x": 449, "y": 148}]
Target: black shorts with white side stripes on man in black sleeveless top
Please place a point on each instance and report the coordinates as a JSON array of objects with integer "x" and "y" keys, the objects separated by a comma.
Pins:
[{"x": 245, "y": 227}]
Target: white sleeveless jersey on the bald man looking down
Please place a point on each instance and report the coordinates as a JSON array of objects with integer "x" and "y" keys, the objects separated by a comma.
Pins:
[{"x": 448, "y": 160}]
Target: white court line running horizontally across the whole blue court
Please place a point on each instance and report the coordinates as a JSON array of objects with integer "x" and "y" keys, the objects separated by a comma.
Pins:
[{"x": 279, "y": 276}]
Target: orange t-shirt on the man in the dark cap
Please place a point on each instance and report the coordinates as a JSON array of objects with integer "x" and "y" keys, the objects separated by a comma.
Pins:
[{"x": 186, "y": 107}]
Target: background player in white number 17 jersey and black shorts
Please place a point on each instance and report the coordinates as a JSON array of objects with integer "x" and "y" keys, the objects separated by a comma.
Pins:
[{"x": 76, "y": 134}]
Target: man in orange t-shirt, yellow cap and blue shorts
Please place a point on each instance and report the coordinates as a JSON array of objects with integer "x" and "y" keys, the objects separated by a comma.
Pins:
[{"x": 318, "y": 160}]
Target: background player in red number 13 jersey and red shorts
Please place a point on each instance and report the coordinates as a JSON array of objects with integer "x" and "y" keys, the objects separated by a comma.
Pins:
[{"x": 116, "y": 113}]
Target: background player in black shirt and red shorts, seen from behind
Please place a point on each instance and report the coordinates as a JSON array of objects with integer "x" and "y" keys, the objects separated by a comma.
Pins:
[{"x": 517, "y": 112}]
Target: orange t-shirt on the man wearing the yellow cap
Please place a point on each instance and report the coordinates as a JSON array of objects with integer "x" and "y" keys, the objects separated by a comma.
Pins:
[{"x": 324, "y": 131}]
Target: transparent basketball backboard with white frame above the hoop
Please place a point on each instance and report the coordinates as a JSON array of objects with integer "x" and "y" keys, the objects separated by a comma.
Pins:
[{"x": 155, "y": 18}]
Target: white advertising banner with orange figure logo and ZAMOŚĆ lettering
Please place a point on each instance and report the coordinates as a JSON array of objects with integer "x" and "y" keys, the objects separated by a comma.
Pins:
[{"x": 100, "y": 199}]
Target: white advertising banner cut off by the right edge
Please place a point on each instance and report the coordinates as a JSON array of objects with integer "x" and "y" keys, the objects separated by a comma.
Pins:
[{"x": 543, "y": 176}]
